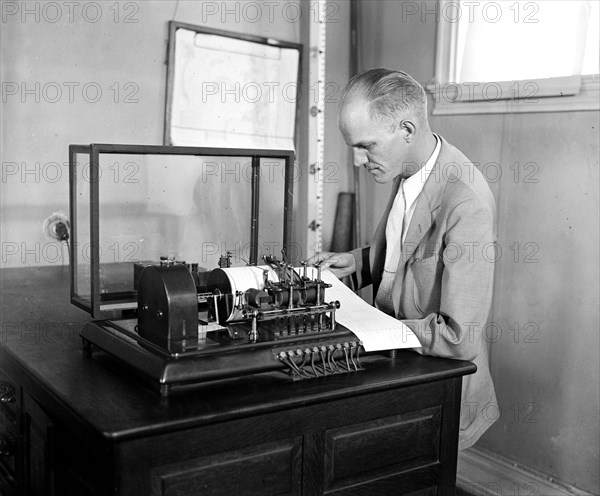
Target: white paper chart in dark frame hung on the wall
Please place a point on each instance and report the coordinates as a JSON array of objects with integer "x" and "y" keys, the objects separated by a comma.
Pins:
[{"x": 234, "y": 93}]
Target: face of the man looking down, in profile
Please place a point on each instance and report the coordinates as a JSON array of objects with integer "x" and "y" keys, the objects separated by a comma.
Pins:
[{"x": 382, "y": 150}]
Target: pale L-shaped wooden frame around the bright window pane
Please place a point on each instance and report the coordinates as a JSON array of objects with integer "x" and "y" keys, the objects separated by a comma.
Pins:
[{"x": 559, "y": 94}]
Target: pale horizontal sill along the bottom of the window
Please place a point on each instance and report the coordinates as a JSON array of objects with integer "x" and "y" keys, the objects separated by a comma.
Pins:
[{"x": 444, "y": 102}]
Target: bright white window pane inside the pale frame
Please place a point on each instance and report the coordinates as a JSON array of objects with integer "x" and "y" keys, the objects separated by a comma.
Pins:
[{"x": 519, "y": 41}]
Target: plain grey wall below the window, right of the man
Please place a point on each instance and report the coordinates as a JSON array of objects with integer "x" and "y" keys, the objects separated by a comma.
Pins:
[{"x": 544, "y": 374}]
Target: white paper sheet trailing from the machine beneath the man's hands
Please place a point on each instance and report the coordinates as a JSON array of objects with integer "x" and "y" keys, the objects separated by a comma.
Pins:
[{"x": 377, "y": 330}]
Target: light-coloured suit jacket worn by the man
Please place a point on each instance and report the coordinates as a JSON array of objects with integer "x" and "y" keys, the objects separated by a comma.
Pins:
[{"x": 443, "y": 284}]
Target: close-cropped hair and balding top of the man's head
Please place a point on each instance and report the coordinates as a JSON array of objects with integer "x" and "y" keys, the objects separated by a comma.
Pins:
[{"x": 391, "y": 96}]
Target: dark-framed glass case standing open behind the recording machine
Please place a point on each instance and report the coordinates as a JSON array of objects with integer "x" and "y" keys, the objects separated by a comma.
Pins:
[{"x": 132, "y": 205}]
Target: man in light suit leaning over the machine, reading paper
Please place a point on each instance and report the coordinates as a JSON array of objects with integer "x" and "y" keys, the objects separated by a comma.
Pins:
[{"x": 428, "y": 262}]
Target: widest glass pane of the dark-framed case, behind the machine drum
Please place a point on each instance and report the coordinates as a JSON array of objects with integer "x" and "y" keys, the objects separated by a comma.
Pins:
[{"x": 189, "y": 208}]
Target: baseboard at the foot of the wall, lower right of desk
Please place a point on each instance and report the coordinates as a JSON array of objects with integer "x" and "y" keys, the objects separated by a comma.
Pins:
[{"x": 483, "y": 473}]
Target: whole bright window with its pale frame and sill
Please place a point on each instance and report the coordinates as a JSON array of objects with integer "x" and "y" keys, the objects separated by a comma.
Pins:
[{"x": 516, "y": 56}]
